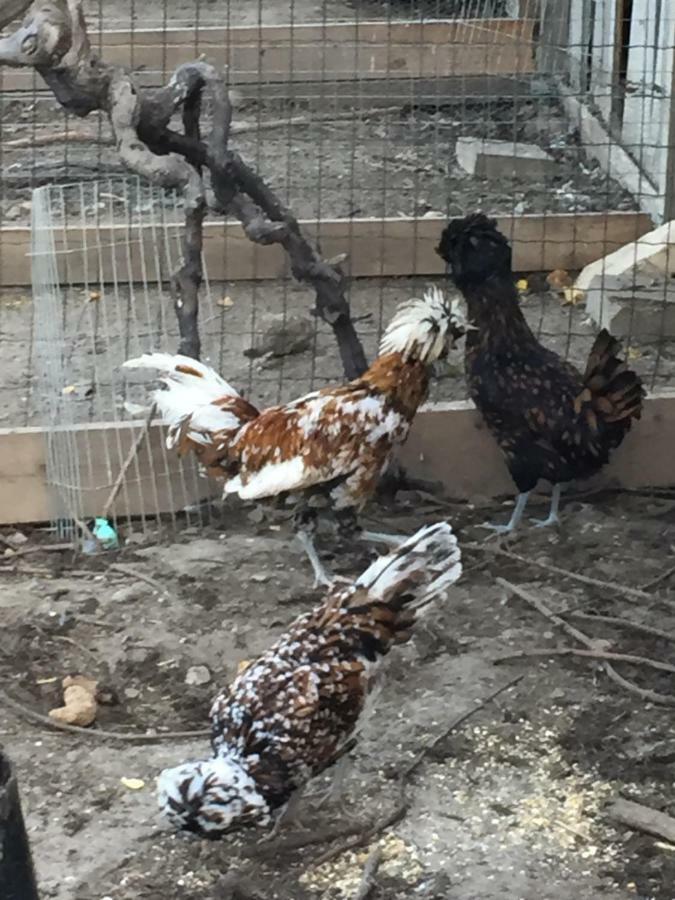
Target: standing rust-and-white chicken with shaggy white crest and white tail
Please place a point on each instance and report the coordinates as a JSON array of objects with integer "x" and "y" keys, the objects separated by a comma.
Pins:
[{"x": 329, "y": 446}]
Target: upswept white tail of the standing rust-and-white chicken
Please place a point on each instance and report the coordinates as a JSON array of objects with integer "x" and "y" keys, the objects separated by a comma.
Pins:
[{"x": 195, "y": 401}]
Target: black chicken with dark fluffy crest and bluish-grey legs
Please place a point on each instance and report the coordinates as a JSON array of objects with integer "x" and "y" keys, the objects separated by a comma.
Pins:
[{"x": 550, "y": 421}]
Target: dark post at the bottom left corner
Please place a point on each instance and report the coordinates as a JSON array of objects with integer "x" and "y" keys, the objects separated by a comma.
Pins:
[{"x": 17, "y": 876}]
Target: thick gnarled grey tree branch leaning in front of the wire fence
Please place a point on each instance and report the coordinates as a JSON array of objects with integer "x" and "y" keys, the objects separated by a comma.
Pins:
[{"x": 53, "y": 40}]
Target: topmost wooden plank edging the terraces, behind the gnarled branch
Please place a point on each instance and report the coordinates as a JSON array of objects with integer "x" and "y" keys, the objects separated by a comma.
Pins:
[{"x": 302, "y": 53}]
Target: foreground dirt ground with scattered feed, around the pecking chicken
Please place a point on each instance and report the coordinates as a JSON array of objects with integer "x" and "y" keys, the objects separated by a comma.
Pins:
[{"x": 512, "y": 804}]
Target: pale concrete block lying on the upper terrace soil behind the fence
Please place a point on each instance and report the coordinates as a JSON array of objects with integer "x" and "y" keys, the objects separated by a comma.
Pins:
[{"x": 503, "y": 159}]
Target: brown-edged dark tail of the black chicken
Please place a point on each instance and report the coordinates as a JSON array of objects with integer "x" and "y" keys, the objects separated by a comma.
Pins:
[{"x": 616, "y": 391}]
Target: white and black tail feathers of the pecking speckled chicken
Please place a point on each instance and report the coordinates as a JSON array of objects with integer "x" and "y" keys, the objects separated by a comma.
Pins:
[{"x": 426, "y": 564}]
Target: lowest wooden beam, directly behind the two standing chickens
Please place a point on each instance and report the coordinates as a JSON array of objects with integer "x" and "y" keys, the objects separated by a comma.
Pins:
[{"x": 448, "y": 443}]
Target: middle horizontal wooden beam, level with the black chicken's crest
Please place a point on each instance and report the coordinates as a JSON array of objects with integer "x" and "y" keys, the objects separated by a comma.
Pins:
[{"x": 376, "y": 247}]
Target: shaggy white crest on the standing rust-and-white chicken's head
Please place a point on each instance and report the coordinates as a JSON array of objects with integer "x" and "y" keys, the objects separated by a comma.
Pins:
[{"x": 419, "y": 328}]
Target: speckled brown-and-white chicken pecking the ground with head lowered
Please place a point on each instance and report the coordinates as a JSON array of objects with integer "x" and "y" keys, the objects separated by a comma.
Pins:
[{"x": 297, "y": 709}]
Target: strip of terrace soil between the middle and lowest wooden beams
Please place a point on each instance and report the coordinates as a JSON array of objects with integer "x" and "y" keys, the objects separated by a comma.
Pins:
[{"x": 100, "y": 335}]
